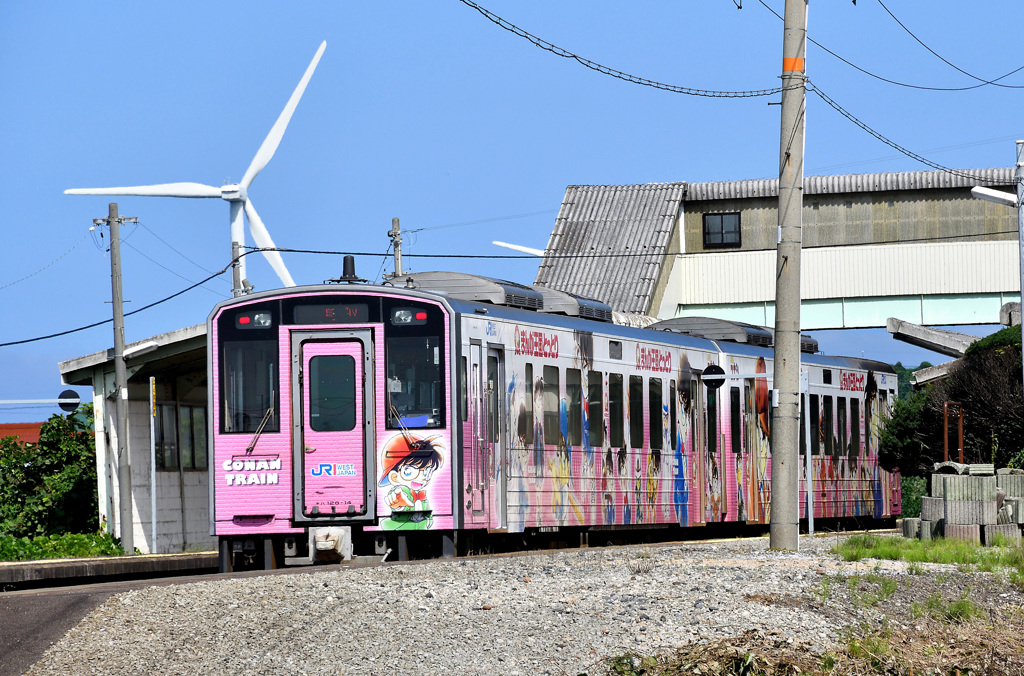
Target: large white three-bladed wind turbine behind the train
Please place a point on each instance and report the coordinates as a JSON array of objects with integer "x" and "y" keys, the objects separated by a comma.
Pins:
[{"x": 237, "y": 195}]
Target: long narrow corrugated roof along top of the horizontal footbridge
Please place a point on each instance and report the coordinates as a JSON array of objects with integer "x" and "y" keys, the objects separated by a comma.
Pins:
[{"x": 902, "y": 181}]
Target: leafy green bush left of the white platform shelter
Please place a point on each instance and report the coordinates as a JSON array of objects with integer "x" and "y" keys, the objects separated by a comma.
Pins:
[{"x": 51, "y": 487}]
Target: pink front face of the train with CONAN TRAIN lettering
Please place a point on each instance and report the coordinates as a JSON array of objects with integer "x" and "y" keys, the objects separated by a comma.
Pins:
[{"x": 330, "y": 421}]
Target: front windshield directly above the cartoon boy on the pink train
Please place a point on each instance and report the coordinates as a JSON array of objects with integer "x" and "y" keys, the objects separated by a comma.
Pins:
[{"x": 415, "y": 390}]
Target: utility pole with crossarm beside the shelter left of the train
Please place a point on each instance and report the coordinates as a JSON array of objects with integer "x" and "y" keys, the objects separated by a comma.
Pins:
[{"x": 127, "y": 522}]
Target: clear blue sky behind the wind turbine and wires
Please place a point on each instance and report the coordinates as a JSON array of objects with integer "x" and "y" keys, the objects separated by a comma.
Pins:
[{"x": 429, "y": 112}]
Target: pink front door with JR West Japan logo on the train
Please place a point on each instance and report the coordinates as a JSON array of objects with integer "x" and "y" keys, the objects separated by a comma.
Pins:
[{"x": 332, "y": 426}]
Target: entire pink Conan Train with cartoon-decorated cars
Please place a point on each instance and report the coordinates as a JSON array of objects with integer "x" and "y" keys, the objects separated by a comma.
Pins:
[{"x": 367, "y": 419}]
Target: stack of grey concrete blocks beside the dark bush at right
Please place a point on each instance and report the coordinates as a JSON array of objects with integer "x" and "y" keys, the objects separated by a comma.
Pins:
[{"x": 971, "y": 502}]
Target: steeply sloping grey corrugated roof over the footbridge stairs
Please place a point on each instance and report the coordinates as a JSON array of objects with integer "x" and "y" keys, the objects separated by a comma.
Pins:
[{"x": 634, "y": 223}]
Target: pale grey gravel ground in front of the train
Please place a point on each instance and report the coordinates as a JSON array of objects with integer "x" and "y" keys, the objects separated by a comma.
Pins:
[{"x": 557, "y": 613}]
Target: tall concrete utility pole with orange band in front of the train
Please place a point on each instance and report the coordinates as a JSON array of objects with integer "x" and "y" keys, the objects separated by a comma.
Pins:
[{"x": 785, "y": 528}]
